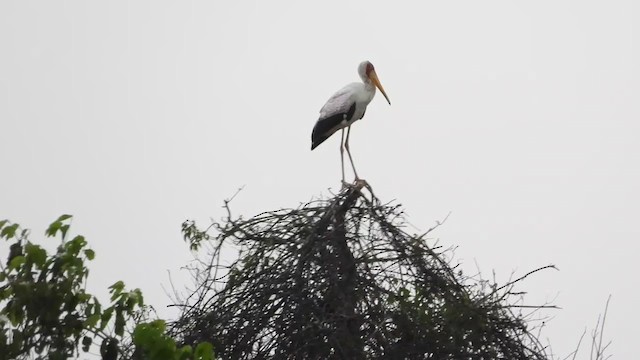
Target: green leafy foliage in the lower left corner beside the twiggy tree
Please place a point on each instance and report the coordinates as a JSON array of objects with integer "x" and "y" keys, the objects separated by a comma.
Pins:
[{"x": 46, "y": 313}]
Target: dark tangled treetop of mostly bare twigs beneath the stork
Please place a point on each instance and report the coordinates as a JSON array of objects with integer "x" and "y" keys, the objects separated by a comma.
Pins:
[{"x": 342, "y": 279}]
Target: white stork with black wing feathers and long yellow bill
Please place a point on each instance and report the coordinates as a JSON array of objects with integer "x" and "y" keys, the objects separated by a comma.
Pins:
[{"x": 346, "y": 107}]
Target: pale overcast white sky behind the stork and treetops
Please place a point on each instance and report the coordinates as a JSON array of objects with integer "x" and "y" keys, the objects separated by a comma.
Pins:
[{"x": 522, "y": 118}]
